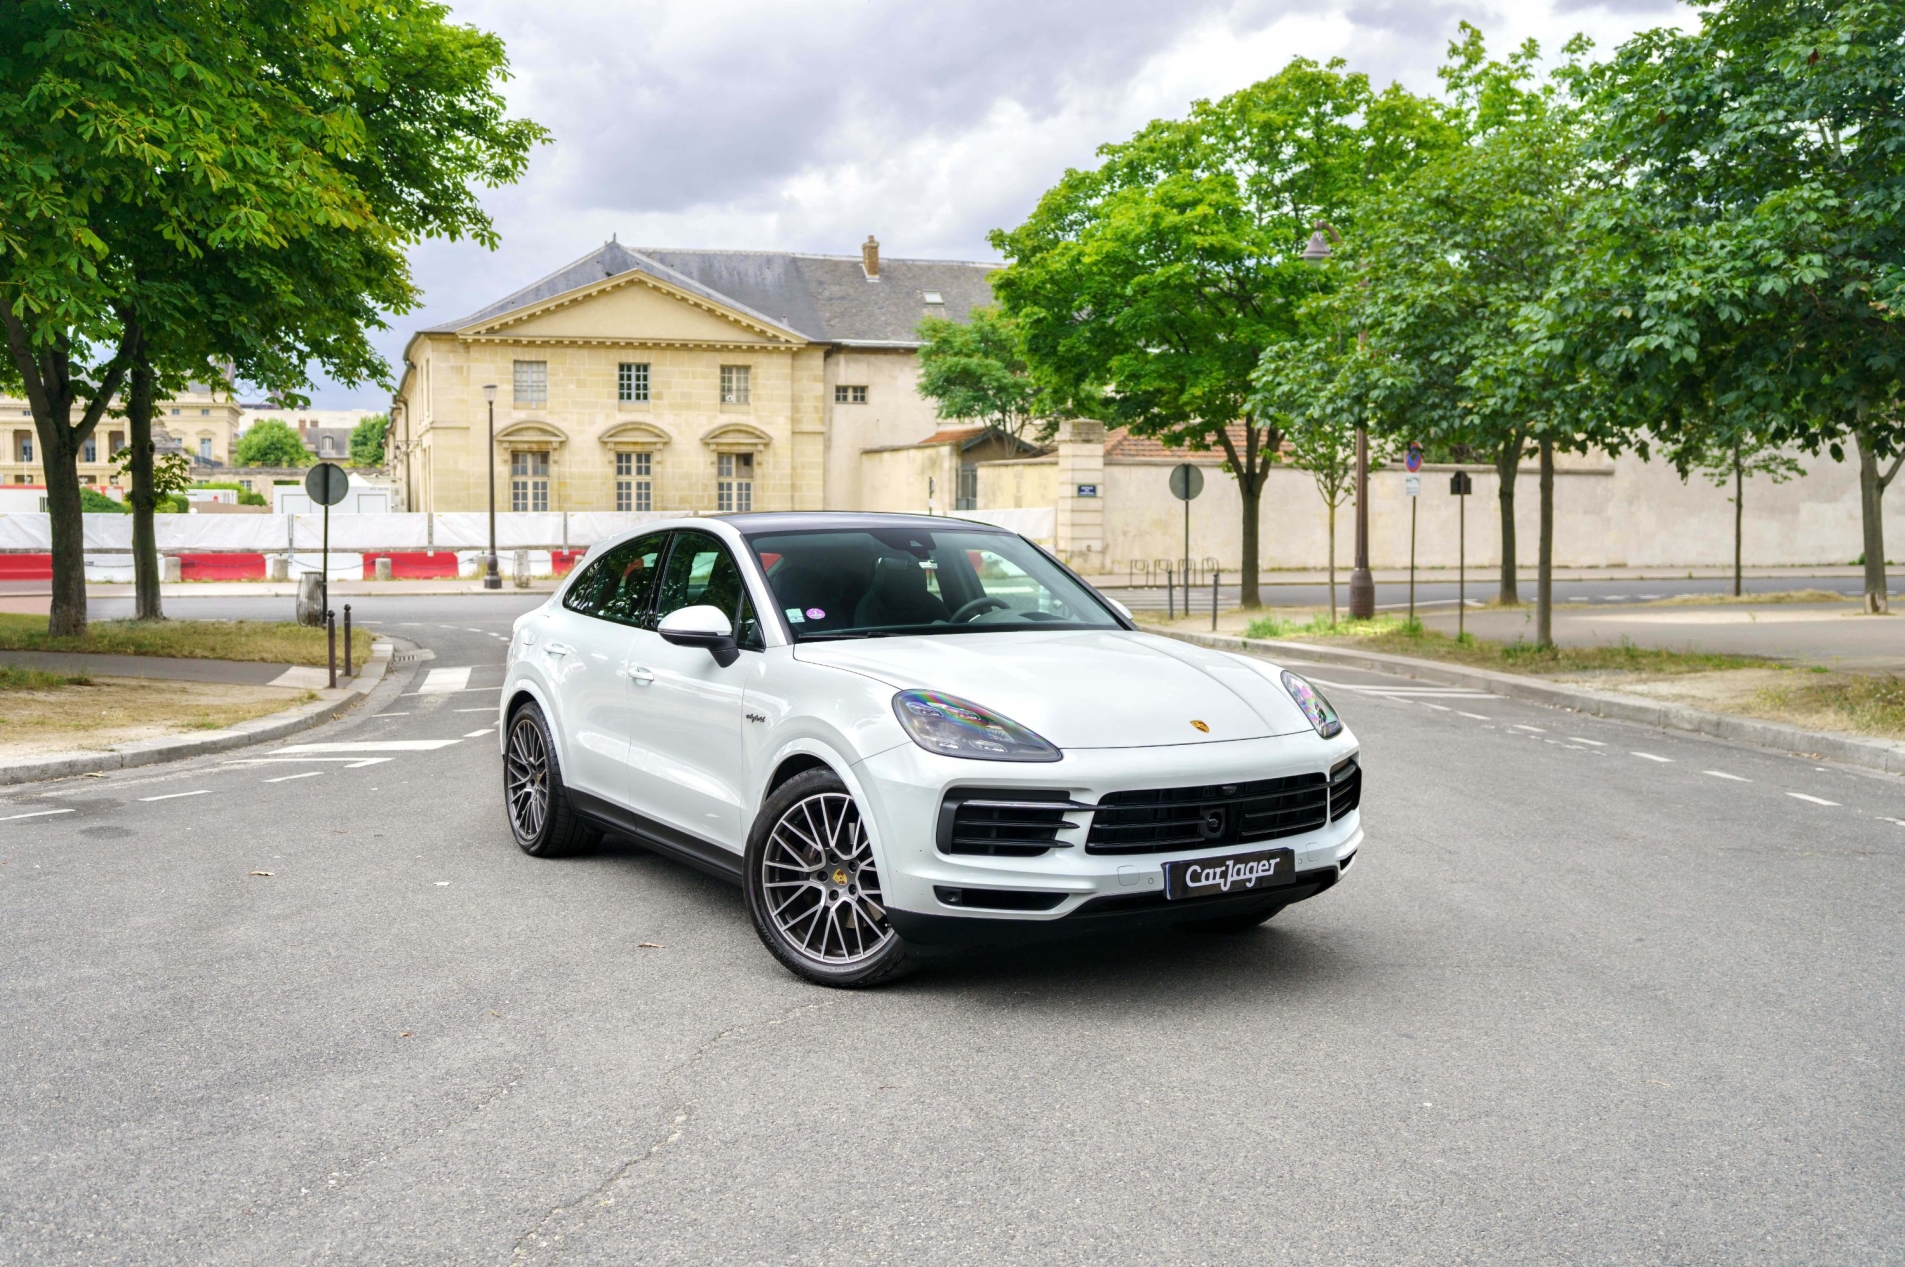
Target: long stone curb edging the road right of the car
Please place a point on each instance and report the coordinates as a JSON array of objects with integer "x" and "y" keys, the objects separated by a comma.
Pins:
[{"x": 1881, "y": 755}]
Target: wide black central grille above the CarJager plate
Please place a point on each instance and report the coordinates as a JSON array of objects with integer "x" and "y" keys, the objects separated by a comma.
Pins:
[{"x": 1190, "y": 818}]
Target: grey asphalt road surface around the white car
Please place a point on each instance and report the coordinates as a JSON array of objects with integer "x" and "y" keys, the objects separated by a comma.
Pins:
[{"x": 1592, "y": 994}]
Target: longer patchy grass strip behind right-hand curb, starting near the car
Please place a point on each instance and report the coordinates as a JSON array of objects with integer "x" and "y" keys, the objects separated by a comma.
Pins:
[{"x": 1401, "y": 637}]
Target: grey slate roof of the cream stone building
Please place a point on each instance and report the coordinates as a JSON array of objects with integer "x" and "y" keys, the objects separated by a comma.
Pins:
[{"x": 824, "y": 298}]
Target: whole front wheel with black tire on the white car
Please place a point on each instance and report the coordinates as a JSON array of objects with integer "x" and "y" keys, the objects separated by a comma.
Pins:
[{"x": 820, "y": 914}]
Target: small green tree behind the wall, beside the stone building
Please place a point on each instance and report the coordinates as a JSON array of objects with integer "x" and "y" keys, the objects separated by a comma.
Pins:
[{"x": 978, "y": 371}]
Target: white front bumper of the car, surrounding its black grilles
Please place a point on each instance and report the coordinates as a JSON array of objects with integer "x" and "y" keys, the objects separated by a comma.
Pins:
[{"x": 906, "y": 786}]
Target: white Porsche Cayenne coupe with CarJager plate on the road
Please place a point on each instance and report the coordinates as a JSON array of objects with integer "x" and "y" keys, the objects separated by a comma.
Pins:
[{"x": 906, "y": 733}]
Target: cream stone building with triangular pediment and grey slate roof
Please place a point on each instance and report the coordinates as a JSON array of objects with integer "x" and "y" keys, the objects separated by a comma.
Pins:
[{"x": 672, "y": 380}]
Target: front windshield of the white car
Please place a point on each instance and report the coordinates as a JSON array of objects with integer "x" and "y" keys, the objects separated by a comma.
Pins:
[{"x": 864, "y": 584}]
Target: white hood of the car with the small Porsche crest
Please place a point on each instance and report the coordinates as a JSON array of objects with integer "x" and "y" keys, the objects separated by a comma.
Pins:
[{"x": 1085, "y": 689}]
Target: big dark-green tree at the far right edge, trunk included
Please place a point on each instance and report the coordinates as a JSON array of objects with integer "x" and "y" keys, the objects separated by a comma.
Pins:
[{"x": 1750, "y": 258}]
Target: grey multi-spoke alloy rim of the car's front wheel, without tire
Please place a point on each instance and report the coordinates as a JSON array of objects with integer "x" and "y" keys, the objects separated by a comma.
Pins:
[{"x": 822, "y": 889}]
